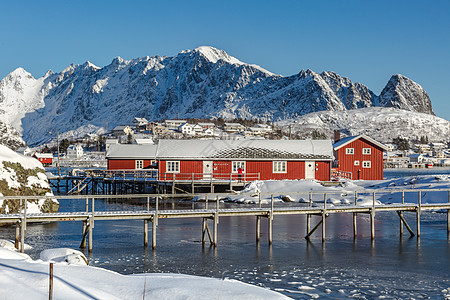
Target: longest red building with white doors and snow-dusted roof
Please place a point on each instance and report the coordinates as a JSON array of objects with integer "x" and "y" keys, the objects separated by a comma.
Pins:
[{"x": 259, "y": 159}]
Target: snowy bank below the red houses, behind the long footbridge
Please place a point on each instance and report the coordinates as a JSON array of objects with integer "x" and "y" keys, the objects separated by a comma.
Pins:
[{"x": 386, "y": 191}]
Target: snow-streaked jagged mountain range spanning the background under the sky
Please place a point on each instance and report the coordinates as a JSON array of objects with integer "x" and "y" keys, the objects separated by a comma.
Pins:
[{"x": 204, "y": 82}]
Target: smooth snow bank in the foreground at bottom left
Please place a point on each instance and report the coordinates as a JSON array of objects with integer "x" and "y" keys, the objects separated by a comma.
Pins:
[{"x": 24, "y": 278}]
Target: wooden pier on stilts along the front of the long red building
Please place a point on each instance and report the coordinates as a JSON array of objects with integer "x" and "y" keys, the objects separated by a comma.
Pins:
[{"x": 119, "y": 182}]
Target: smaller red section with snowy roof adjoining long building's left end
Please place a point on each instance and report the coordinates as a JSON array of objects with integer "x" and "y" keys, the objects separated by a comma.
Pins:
[{"x": 131, "y": 156}]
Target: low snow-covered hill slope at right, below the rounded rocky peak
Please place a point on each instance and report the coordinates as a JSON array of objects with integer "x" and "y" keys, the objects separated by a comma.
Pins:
[{"x": 382, "y": 124}]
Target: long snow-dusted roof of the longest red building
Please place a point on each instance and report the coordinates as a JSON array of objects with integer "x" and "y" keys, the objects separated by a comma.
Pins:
[{"x": 245, "y": 149}]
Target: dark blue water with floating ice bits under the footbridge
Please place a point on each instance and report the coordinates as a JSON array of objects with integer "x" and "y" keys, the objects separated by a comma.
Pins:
[{"x": 343, "y": 267}]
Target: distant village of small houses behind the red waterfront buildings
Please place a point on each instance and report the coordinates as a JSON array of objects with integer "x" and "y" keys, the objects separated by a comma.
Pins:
[{"x": 89, "y": 151}]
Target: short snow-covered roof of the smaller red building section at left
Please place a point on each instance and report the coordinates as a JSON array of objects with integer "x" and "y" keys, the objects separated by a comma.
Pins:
[{"x": 125, "y": 151}]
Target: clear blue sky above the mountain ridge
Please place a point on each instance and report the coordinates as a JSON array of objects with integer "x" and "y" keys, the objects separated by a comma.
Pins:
[{"x": 367, "y": 41}]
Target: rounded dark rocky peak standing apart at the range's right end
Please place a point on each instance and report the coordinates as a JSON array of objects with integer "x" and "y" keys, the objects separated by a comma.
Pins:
[{"x": 401, "y": 92}]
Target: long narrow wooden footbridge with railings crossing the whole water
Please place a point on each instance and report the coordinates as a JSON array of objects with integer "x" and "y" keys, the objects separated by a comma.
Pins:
[{"x": 149, "y": 211}]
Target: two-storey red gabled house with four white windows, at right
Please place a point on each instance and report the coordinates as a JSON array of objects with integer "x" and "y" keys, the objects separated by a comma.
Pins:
[{"x": 360, "y": 156}]
